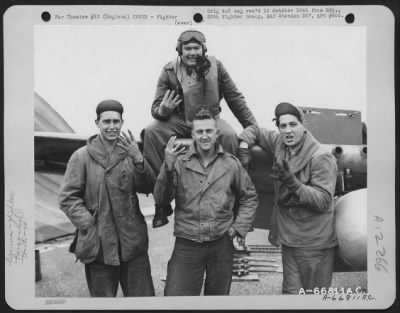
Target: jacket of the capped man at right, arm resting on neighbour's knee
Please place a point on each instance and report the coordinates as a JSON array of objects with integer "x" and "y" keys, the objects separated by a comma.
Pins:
[{"x": 303, "y": 216}]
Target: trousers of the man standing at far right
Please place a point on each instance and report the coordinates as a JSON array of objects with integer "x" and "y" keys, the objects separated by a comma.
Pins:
[{"x": 307, "y": 269}]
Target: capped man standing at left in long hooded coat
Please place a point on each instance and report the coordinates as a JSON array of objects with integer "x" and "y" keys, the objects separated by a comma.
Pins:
[{"x": 98, "y": 194}]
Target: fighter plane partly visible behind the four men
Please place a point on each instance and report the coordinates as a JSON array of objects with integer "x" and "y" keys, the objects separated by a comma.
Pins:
[{"x": 340, "y": 130}]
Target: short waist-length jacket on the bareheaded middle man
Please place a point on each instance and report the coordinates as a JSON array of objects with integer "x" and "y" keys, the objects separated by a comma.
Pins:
[{"x": 207, "y": 205}]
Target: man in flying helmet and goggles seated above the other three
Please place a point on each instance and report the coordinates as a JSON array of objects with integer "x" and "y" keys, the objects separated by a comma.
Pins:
[{"x": 191, "y": 81}]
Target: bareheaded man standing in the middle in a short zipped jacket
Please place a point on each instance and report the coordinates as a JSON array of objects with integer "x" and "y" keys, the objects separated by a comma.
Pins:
[{"x": 215, "y": 201}]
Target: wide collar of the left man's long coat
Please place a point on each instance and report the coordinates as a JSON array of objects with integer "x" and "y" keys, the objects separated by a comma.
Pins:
[{"x": 99, "y": 153}]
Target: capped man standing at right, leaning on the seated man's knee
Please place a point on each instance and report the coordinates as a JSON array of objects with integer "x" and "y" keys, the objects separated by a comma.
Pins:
[{"x": 304, "y": 176}]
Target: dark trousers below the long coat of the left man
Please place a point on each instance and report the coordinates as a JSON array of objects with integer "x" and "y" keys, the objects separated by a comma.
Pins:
[{"x": 134, "y": 277}]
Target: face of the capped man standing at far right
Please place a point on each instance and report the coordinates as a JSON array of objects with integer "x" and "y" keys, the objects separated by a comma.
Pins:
[{"x": 291, "y": 129}]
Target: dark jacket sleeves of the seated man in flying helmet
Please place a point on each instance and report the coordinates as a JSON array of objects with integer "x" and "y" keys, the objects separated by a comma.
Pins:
[{"x": 227, "y": 90}]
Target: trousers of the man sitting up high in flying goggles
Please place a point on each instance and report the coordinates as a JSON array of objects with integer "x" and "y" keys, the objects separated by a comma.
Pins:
[{"x": 156, "y": 135}]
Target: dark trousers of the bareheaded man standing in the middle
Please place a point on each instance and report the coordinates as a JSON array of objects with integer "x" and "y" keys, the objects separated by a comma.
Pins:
[{"x": 191, "y": 260}]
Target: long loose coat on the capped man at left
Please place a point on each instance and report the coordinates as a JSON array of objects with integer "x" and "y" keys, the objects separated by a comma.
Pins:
[{"x": 99, "y": 197}]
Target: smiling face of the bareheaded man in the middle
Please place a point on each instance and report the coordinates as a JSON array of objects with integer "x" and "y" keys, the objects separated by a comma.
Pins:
[{"x": 205, "y": 134}]
